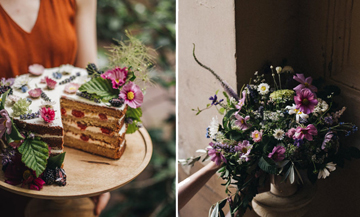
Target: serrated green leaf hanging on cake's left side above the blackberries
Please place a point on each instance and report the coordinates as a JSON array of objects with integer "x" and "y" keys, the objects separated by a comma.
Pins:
[{"x": 34, "y": 155}]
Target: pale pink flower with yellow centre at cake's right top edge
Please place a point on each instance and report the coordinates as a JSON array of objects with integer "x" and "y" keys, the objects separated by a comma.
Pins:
[{"x": 132, "y": 95}]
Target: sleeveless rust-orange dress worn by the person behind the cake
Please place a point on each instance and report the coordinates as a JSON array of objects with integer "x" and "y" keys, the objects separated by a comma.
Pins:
[{"x": 51, "y": 43}]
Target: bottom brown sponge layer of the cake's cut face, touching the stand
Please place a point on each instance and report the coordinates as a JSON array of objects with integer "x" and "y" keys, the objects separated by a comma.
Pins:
[{"x": 94, "y": 148}]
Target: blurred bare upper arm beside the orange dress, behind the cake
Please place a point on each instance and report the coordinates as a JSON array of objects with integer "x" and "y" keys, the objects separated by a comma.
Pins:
[{"x": 85, "y": 23}]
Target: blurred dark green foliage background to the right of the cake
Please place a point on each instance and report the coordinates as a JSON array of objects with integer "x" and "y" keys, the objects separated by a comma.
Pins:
[{"x": 153, "y": 22}]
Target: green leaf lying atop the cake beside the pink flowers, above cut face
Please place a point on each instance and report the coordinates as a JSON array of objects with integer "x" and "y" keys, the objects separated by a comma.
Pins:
[{"x": 100, "y": 87}]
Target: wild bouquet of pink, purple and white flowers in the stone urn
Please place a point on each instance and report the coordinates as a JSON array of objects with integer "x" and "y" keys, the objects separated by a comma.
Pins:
[{"x": 282, "y": 124}]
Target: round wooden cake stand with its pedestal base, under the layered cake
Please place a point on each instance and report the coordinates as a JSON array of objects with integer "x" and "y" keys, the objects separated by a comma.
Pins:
[{"x": 87, "y": 175}]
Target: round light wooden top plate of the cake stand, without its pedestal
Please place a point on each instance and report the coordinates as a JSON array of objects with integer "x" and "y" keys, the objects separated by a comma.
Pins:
[{"x": 89, "y": 175}]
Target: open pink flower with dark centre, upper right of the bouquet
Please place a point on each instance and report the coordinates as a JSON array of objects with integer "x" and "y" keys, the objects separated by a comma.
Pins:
[{"x": 305, "y": 101}]
